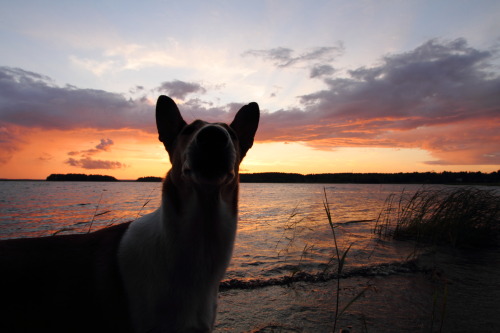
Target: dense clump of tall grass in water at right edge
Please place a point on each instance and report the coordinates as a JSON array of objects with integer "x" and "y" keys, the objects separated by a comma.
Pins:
[{"x": 462, "y": 217}]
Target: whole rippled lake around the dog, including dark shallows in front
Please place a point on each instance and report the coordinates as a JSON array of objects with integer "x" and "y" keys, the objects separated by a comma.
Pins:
[{"x": 283, "y": 230}]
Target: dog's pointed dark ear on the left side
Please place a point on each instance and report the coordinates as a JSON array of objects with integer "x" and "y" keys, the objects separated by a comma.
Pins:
[{"x": 168, "y": 121}]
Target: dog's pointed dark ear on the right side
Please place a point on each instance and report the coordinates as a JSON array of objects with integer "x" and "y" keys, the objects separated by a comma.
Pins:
[{"x": 245, "y": 125}]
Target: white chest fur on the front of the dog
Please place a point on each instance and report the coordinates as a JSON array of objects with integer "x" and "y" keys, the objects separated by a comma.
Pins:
[{"x": 171, "y": 267}]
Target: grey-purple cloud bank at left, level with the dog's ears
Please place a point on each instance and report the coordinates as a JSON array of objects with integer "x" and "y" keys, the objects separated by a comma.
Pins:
[{"x": 32, "y": 100}]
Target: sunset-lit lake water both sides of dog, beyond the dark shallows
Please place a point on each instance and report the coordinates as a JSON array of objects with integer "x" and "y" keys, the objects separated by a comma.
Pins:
[{"x": 282, "y": 227}]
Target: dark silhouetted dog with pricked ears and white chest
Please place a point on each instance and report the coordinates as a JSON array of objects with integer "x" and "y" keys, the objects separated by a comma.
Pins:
[{"x": 159, "y": 273}]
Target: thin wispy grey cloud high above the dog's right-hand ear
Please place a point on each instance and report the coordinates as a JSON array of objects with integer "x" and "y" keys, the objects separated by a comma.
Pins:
[{"x": 283, "y": 57}]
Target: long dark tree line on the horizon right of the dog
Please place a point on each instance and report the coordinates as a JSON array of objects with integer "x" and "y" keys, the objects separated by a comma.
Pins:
[{"x": 376, "y": 178}]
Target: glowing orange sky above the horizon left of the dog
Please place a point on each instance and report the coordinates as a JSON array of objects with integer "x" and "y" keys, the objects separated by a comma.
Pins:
[{"x": 133, "y": 154}]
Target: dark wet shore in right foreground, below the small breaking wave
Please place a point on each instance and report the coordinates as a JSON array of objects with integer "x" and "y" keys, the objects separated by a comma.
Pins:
[{"x": 460, "y": 292}]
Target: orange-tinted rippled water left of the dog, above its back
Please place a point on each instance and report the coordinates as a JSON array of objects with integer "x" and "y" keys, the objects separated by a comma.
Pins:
[{"x": 35, "y": 209}]
